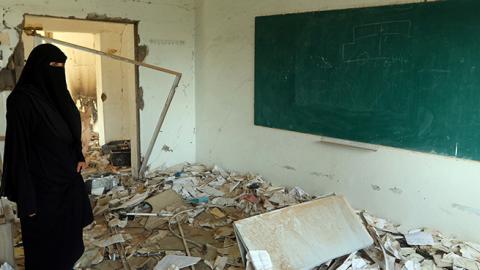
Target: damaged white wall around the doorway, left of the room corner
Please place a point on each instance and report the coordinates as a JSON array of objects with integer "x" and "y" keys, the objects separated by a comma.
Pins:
[{"x": 166, "y": 27}]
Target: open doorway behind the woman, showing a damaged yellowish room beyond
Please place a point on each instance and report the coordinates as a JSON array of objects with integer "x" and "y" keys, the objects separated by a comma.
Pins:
[{"x": 103, "y": 89}]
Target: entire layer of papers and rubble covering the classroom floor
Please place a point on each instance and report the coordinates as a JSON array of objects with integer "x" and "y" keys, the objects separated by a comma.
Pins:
[{"x": 184, "y": 216}]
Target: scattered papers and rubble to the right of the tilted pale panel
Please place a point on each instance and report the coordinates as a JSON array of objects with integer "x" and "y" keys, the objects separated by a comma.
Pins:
[{"x": 420, "y": 249}]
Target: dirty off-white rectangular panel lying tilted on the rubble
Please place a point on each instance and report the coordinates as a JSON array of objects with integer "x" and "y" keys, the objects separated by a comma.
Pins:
[{"x": 329, "y": 229}]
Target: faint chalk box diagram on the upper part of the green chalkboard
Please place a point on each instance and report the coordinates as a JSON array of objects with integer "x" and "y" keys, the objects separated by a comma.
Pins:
[{"x": 371, "y": 42}]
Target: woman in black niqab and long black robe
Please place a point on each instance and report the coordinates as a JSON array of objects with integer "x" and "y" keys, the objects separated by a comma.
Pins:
[{"x": 42, "y": 153}]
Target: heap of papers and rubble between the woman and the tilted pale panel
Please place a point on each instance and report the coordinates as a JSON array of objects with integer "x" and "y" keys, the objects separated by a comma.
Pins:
[{"x": 145, "y": 218}]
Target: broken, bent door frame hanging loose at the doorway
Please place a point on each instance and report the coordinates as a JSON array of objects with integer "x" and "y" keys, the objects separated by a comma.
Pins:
[{"x": 31, "y": 31}]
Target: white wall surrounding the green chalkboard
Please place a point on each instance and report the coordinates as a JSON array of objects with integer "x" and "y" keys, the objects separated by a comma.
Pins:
[{"x": 412, "y": 188}]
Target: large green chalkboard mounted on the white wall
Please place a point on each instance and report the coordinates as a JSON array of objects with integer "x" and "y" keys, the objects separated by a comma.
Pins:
[{"x": 406, "y": 76}]
